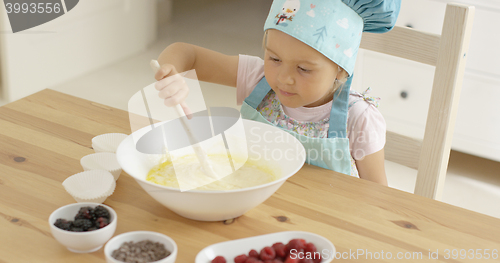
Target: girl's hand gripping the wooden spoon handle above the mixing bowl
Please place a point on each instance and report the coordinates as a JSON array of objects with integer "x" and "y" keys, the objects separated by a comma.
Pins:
[{"x": 172, "y": 87}]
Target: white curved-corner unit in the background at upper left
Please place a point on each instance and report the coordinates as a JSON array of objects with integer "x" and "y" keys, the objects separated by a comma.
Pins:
[{"x": 92, "y": 35}]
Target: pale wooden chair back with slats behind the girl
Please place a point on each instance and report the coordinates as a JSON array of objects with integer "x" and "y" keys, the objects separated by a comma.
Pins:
[{"x": 448, "y": 53}]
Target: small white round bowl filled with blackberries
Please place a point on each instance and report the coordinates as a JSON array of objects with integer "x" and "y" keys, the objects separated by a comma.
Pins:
[{"x": 83, "y": 227}]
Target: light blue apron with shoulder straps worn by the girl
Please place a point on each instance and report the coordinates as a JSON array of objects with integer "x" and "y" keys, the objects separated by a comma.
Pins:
[{"x": 329, "y": 153}]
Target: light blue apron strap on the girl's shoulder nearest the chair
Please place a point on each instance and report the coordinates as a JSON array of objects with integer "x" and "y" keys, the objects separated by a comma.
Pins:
[{"x": 338, "y": 115}]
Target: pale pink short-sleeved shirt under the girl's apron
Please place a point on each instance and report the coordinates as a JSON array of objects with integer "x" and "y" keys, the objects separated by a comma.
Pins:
[{"x": 366, "y": 127}]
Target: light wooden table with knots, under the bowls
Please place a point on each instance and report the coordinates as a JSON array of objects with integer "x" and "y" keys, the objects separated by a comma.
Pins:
[{"x": 43, "y": 137}]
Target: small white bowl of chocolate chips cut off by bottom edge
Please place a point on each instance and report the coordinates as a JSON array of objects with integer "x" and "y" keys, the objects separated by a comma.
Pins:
[{"x": 141, "y": 247}]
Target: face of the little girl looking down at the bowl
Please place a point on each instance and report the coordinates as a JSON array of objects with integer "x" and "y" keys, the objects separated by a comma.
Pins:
[{"x": 298, "y": 74}]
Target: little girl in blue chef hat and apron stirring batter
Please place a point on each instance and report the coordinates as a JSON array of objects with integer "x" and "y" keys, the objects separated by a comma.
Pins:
[{"x": 303, "y": 83}]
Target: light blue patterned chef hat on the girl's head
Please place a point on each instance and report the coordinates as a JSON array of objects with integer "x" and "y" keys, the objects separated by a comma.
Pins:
[{"x": 333, "y": 27}]
